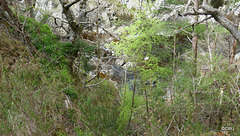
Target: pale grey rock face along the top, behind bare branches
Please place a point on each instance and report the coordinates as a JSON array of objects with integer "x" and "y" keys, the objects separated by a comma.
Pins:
[{"x": 107, "y": 14}]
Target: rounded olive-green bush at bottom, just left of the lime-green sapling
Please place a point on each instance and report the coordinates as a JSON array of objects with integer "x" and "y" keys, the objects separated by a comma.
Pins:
[{"x": 99, "y": 109}]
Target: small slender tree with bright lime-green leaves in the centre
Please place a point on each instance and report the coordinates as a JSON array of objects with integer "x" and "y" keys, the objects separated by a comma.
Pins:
[{"x": 146, "y": 42}]
